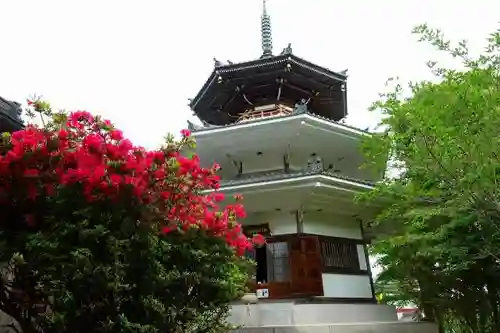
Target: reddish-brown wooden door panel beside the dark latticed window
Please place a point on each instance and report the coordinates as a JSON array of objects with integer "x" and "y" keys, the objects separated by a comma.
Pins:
[{"x": 305, "y": 266}]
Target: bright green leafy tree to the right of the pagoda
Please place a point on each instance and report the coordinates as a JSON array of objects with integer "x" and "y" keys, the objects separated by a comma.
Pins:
[{"x": 441, "y": 247}]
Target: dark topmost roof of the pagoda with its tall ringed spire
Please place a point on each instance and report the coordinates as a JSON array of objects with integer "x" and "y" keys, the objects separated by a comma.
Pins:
[{"x": 233, "y": 89}]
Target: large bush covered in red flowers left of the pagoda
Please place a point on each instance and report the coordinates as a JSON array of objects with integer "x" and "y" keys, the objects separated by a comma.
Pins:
[{"x": 98, "y": 235}]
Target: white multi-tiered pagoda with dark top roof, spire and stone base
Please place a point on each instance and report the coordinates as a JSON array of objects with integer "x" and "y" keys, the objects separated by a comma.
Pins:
[{"x": 276, "y": 127}]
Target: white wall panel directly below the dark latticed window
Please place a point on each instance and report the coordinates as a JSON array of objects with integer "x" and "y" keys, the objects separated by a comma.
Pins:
[{"x": 348, "y": 286}]
